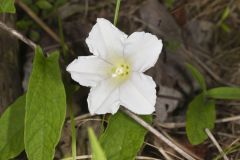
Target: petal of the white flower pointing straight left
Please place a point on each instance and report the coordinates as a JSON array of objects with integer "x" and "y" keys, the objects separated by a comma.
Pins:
[{"x": 89, "y": 70}]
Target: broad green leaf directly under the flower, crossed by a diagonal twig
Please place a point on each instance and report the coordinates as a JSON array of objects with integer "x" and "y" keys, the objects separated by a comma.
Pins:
[{"x": 123, "y": 137}]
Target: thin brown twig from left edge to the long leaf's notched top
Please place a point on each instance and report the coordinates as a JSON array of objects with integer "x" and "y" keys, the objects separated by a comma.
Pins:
[{"x": 18, "y": 35}]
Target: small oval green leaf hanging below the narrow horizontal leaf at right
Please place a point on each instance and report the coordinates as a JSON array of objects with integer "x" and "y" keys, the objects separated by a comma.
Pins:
[{"x": 201, "y": 114}]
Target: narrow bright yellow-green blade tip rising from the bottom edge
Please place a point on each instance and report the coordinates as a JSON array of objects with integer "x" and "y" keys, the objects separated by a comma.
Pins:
[{"x": 97, "y": 151}]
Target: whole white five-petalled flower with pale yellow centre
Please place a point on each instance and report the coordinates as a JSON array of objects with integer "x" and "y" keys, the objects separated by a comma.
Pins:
[{"x": 115, "y": 70}]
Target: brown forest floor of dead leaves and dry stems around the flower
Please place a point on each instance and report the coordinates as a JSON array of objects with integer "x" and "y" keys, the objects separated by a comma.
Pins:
[{"x": 204, "y": 33}]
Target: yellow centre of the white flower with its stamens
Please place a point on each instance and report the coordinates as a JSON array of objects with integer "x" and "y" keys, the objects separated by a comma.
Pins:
[{"x": 121, "y": 71}]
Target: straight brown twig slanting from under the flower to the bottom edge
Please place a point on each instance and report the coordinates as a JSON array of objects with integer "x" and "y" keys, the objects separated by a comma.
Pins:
[{"x": 157, "y": 134}]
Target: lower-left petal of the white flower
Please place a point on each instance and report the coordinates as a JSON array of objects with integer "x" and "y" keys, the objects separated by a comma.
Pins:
[{"x": 104, "y": 98}]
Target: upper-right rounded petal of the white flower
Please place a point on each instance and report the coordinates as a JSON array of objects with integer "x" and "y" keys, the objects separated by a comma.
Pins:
[{"x": 142, "y": 50}]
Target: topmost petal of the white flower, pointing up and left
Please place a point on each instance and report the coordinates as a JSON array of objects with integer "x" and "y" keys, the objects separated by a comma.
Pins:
[{"x": 105, "y": 40}]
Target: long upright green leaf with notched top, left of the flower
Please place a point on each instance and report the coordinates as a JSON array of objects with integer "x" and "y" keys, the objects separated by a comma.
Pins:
[{"x": 45, "y": 107}]
